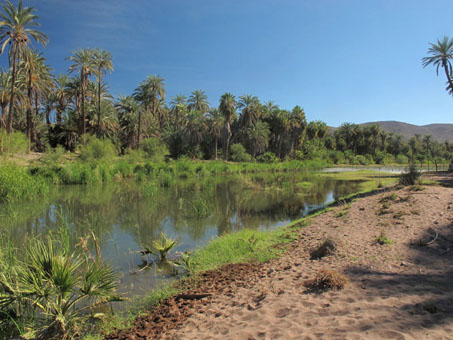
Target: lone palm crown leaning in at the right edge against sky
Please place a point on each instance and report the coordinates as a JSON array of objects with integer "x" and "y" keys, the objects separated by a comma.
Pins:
[{"x": 440, "y": 56}]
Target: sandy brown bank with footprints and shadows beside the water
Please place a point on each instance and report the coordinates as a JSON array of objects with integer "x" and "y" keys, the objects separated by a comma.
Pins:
[{"x": 399, "y": 291}]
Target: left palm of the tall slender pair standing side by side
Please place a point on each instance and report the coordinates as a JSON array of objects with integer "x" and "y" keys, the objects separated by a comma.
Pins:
[{"x": 83, "y": 62}]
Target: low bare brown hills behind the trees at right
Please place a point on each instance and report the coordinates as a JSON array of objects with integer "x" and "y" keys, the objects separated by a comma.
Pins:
[{"x": 439, "y": 132}]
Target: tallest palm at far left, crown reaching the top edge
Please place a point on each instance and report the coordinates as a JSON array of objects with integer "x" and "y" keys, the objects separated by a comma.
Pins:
[{"x": 17, "y": 27}]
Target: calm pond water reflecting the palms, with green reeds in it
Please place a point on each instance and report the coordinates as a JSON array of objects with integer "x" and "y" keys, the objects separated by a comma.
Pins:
[{"x": 125, "y": 216}]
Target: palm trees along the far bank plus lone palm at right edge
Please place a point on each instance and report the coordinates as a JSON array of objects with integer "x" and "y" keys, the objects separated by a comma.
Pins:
[{"x": 58, "y": 110}]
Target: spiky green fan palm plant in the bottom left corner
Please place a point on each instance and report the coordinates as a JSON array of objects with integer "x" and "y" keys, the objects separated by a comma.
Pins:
[{"x": 55, "y": 288}]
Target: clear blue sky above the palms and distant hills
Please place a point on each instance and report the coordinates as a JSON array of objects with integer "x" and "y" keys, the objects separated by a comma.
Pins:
[{"x": 341, "y": 60}]
